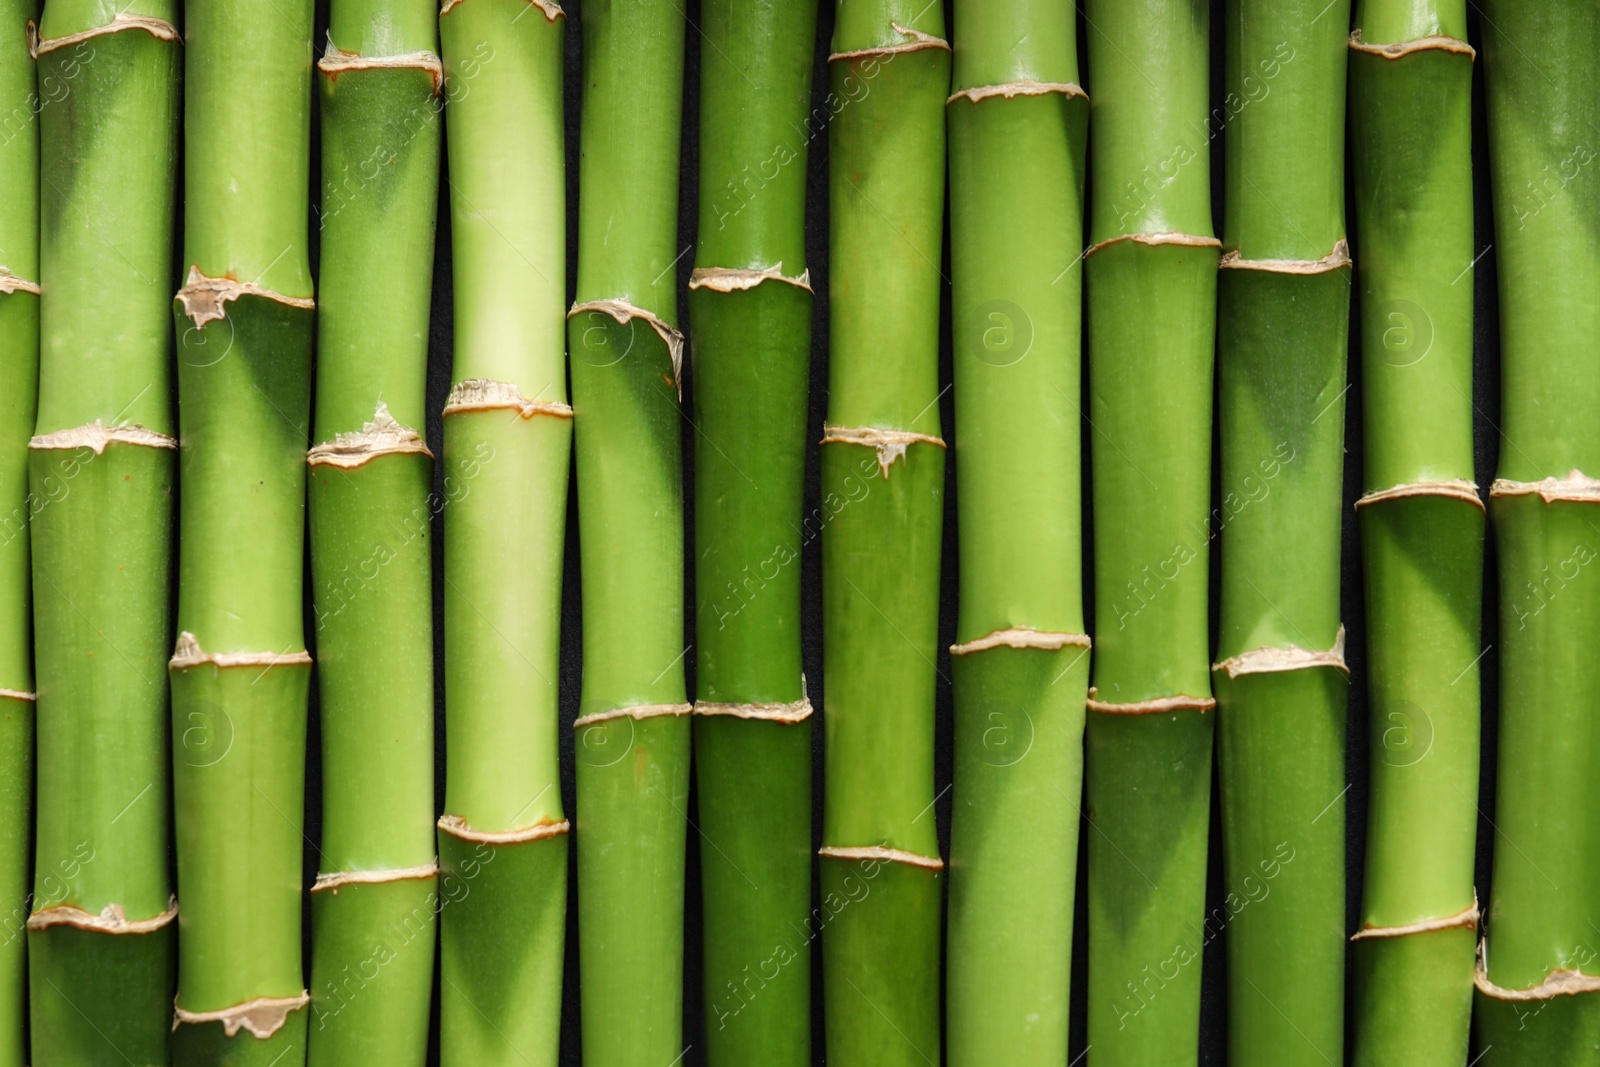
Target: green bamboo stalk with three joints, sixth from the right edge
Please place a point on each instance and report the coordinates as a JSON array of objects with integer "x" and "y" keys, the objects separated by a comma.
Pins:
[{"x": 882, "y": 452}]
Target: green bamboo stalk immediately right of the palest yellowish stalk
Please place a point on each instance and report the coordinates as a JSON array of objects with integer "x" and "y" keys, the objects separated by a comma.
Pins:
[{"x": 633, "y": 729}]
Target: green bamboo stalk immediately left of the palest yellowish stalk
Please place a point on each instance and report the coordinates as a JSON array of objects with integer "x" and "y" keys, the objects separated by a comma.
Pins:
[{"x": 375, "y": 900}]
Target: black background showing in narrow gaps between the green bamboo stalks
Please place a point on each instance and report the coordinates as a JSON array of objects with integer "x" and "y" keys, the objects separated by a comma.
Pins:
[{"x": 1214, "y": 1036}]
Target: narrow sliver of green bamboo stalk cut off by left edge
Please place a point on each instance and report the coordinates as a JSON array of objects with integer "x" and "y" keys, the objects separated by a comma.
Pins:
[{"x": 20, "y": 105}]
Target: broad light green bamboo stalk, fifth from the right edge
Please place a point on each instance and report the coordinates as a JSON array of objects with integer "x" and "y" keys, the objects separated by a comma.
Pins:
[{"x": 1017, "y": 126}]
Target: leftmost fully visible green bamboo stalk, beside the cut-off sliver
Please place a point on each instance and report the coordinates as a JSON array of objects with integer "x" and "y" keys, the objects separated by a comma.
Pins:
[{"x": 102, "y": 932}]
